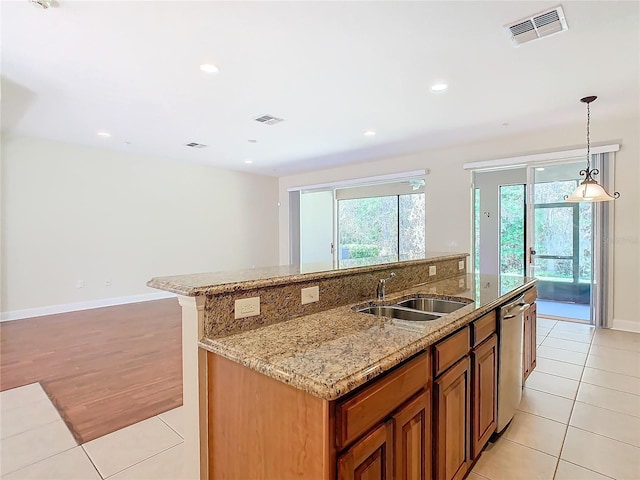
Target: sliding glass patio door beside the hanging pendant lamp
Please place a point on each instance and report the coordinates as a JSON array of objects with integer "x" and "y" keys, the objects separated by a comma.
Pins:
[{"x": 523, "y": 226}]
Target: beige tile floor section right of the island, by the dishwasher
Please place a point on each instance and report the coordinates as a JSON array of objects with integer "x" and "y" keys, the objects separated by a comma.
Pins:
[{"x": 580, "y": 414}]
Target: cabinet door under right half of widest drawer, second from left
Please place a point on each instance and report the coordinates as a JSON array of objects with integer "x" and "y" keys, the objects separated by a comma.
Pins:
[{"x": 412, "y": 439}]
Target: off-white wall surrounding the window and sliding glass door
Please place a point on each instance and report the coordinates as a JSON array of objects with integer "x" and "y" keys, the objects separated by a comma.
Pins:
[{"x": 448, "y": 200}]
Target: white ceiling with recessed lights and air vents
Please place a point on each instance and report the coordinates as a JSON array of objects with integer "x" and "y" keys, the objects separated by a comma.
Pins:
[{"x": 331, "y": 69}]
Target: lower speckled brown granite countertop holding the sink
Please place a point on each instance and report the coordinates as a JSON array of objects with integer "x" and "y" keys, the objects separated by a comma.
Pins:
[{"x": 330, "y": 353}]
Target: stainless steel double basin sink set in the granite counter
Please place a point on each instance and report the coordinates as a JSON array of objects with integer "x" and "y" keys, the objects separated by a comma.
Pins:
[{"x": 415, "y": 309}]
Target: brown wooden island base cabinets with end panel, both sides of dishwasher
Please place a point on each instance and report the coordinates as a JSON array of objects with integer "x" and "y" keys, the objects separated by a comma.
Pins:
[{"x": 428, "y": 418}]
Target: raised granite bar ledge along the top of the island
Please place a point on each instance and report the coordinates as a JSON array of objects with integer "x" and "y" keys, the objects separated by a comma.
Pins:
[{"x": 210, "y": 283}]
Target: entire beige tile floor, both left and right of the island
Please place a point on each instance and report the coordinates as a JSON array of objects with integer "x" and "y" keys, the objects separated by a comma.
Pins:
[{"x": 579, "y": 420}]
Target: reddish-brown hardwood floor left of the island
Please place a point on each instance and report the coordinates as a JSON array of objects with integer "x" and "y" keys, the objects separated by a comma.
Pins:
[{"x": 104, "y": 368}]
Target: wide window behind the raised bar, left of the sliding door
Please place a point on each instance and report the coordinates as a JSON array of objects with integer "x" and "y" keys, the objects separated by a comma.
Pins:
[{"x": 358, "y": 223}]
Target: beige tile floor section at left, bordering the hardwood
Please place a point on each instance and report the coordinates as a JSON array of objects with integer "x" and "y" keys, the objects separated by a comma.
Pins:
[{"x": 36, "y": 444}]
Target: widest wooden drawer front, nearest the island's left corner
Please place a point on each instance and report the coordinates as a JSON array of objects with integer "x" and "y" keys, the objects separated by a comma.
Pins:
[{"x": 362, "y": 411}]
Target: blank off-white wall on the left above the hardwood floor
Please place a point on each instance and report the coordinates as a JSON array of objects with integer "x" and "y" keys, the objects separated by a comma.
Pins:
[{"x": 73, "y": 213}]
